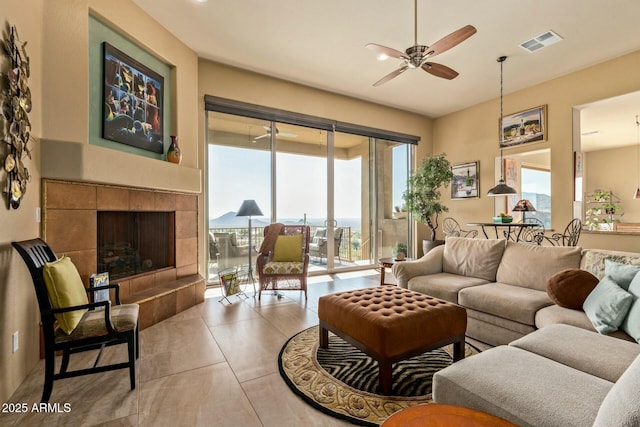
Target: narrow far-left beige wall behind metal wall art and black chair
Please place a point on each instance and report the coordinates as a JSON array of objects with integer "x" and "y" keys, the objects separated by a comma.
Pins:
[{"x": 18, "y": 307}]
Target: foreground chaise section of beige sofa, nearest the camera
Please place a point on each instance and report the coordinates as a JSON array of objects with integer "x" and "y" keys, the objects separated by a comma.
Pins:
[{"x": 560, "y": 376}]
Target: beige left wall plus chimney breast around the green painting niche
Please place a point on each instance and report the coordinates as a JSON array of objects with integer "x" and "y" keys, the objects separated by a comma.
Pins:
[{"x": 59, "y": 45}]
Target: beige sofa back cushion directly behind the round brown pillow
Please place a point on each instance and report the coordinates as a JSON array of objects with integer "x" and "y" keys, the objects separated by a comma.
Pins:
[{"x": 531, "y": 266}]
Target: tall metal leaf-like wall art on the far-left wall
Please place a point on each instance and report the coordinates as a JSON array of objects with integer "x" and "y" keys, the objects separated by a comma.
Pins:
[{"x": 16, "y": 128}]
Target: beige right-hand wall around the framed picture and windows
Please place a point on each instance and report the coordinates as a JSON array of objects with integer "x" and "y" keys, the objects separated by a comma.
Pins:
[{"x": 472, "y": 134}]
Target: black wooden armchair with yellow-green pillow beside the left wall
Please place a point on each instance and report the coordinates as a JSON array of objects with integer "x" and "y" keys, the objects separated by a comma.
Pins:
[{"x": 98, "y": 324}]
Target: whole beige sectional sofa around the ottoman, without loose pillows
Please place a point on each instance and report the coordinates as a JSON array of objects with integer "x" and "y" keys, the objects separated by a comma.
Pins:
[{"x": 556, "y": 370}]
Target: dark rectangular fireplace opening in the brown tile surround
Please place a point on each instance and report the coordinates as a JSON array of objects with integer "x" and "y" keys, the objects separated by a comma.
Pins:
[{"x": 133, "y": 242}]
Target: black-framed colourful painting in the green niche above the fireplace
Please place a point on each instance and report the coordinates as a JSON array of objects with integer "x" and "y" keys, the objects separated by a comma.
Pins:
[{"x": 133, "y": 99}]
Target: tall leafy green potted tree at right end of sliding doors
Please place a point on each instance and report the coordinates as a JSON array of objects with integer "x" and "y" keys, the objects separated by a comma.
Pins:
[{"x": 422, "y": 198}]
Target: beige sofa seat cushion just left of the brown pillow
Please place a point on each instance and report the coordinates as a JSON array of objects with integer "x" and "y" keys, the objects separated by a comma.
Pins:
[{"x": 510, "y": 302}]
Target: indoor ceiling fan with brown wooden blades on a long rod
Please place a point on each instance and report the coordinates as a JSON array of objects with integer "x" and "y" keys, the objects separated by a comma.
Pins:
[{"x": 417, "y": 55}]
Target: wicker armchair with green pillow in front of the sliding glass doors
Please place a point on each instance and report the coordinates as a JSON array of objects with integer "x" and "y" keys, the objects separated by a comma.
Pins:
[{"x": 288, "y": 269}]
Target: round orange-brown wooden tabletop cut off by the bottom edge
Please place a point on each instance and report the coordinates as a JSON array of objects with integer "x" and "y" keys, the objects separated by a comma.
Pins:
[{"x": 436, "y": 415}]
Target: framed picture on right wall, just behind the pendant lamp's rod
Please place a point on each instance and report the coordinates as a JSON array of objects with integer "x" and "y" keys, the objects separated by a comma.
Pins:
[{"x": 524, "y": 127}]
